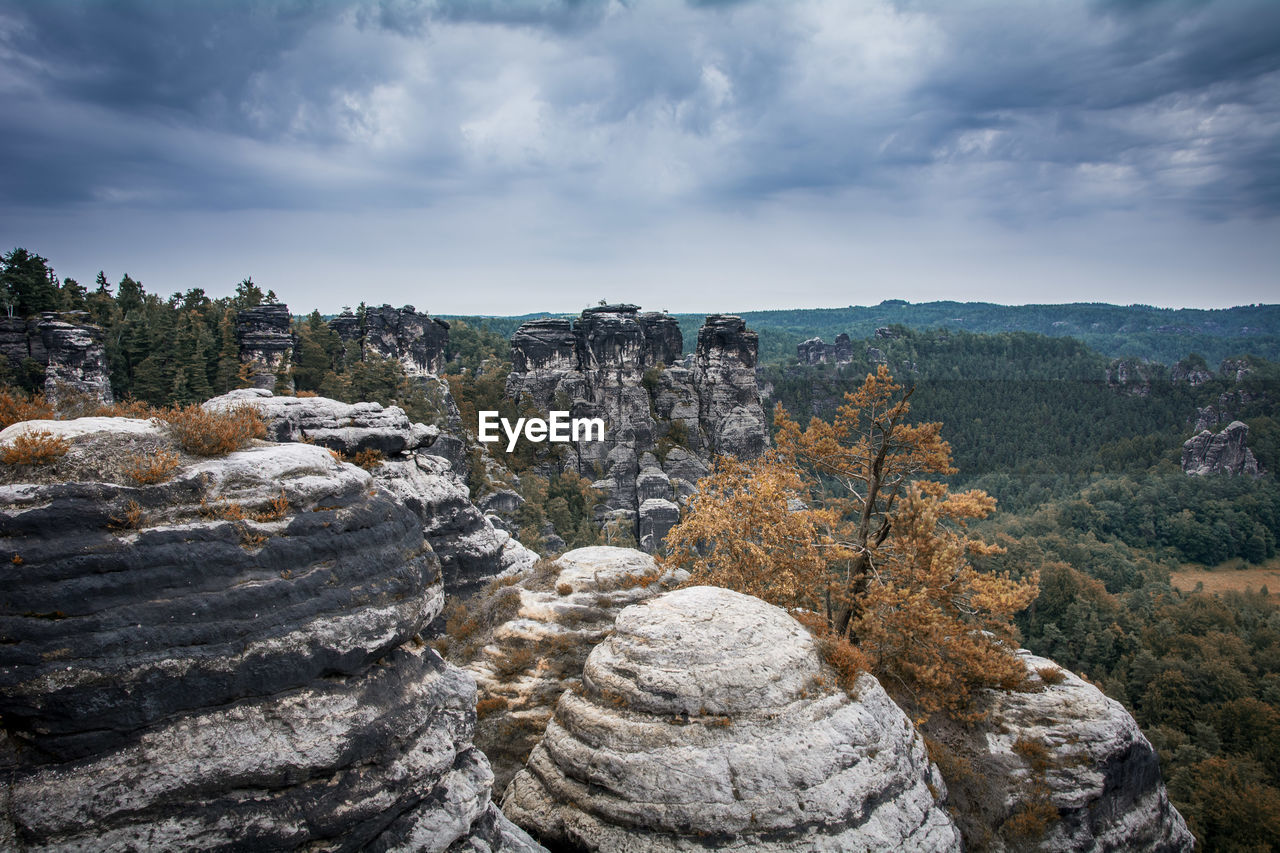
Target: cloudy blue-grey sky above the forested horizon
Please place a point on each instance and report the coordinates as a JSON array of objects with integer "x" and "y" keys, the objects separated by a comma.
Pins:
[{"x": 541, "y": 156}]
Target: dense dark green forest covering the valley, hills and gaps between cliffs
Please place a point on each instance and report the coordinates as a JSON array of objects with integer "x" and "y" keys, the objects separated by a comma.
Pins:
[{"x": 1086, "y": 472}]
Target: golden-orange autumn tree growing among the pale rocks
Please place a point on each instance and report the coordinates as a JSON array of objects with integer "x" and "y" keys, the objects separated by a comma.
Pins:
[{"x": 842, "y": 521}]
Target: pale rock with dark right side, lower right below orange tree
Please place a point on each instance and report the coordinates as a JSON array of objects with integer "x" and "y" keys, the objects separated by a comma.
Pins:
[{"x": 1068, "y": 754}]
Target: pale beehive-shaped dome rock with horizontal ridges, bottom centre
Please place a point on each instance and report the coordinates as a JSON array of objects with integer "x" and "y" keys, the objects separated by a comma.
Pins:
[{"x": 708, "y": 722}]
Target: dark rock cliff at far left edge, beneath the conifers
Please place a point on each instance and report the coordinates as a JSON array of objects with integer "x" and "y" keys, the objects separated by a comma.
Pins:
[{"x": 66, "y": 346}]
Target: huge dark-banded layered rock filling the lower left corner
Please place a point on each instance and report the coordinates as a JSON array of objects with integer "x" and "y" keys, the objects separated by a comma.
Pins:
[{"x": 227, "y": 660}]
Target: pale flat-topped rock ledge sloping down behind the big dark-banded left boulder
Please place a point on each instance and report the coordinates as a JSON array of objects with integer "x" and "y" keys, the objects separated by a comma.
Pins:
[{"x": 470, "y": 550}]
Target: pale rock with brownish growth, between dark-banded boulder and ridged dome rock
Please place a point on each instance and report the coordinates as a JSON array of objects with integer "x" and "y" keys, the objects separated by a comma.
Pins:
[{"x": 525, "y": 642}]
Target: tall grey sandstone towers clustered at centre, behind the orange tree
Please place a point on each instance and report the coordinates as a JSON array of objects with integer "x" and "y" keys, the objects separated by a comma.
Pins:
[{"x": 666, "y": 416}]
